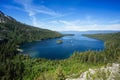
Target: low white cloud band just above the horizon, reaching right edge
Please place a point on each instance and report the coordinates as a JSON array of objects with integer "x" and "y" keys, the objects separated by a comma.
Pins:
[{"x": 63, "y": 25}]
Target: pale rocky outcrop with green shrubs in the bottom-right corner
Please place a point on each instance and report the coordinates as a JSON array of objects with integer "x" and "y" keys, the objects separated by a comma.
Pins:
[{"x": 110, "y": 72}]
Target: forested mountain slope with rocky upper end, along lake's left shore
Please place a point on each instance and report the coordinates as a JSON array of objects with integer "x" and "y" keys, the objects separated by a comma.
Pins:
[{"x": 14, "y": 30}]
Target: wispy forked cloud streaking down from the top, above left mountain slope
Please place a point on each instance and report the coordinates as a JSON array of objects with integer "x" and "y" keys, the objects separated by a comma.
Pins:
[{"x": 32, "y": 10}]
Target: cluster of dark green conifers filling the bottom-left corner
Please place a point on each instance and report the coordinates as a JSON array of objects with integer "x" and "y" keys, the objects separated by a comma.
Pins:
[{"x": 11, "y": 70}]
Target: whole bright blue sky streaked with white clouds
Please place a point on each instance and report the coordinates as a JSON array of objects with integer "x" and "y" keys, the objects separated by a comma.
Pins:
[{"x": 65, "y": 15}]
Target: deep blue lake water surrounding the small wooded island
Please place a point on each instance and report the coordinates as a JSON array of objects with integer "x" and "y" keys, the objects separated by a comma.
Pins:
[{"x": 51, "y": 50}]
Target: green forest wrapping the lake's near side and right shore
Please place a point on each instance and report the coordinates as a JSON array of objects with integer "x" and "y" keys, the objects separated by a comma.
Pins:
[{"x": 16, "y": 66}]
